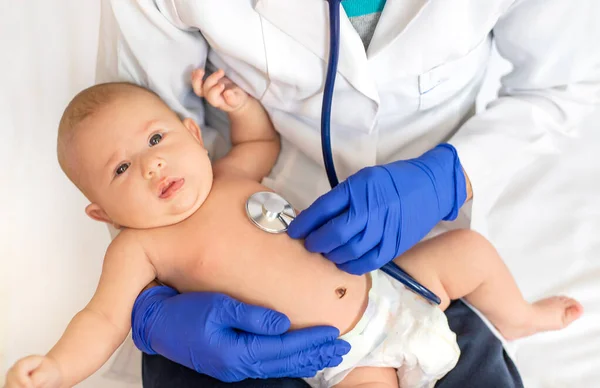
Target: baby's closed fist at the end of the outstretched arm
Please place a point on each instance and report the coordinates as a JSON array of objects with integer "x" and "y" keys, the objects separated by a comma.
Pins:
[{"x": 34, "y": 372}]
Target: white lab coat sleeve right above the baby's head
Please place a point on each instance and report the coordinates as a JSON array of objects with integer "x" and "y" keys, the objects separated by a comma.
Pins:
[{"x": 146, "y": 43}]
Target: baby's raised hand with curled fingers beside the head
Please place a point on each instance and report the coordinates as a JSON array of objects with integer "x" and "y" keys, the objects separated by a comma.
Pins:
[{"x": 219, "y": 90}]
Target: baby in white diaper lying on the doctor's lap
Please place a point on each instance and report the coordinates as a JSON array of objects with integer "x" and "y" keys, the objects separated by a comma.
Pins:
[{"x": 183, "y": 223}]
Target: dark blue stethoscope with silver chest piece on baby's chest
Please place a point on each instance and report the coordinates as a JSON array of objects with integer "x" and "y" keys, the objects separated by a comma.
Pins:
[{"x": 272, "y": 213}]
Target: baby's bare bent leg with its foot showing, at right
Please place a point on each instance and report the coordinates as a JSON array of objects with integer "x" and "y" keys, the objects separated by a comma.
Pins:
[{"x": 462, "y": 263}]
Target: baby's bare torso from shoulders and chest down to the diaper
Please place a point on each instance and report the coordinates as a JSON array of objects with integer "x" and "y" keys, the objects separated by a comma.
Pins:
[{"x": 220, "y": 250}]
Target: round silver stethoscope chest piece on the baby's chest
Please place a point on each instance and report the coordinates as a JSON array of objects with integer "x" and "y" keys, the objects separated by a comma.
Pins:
[{"x": 270, "y": 211}]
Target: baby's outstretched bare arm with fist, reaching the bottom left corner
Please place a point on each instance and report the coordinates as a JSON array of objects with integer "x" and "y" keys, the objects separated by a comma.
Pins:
[{"x": 95, "y": 332}]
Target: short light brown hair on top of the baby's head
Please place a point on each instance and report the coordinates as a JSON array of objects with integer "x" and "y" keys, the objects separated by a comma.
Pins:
[{"x": 85, "y": 104}]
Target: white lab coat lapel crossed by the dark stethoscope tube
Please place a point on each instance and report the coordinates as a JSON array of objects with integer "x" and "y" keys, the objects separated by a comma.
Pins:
[{"x": 307, "y": 21}]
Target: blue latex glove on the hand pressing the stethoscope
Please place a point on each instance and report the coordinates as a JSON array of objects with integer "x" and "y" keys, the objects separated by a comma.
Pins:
[{"x": 382, "y": 211}]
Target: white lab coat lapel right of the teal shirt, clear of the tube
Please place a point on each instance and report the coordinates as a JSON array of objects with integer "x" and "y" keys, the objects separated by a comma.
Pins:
[{"x": 396, "y": 17}]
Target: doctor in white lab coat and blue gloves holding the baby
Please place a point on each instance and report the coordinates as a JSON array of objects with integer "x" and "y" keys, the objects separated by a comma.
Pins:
[{"x": 408, "y": 75}]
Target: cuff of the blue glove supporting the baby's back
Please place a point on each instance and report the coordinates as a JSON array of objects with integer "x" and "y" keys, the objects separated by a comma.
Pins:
[{"x": 142, "y": 315}]
